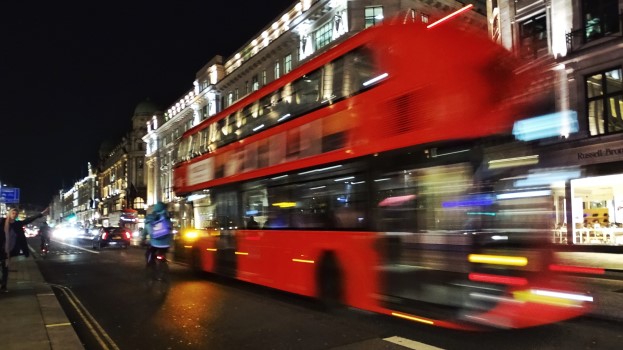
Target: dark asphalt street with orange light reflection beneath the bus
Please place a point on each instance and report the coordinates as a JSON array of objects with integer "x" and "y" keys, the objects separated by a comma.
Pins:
[{"x": 209, "y": 312}]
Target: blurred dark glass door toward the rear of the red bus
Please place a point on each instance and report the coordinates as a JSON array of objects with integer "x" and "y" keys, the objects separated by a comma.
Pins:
[{"x": 424, "y": 257}]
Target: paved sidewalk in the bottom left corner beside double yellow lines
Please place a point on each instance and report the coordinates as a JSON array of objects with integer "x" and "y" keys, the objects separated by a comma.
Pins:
[{"x": 30, "y": 315}]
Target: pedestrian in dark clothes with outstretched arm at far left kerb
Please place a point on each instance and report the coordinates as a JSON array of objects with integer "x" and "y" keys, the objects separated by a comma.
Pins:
[{"x": 13, "y": 241}]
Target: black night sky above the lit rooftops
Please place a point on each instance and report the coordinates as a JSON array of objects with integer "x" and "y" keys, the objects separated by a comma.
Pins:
[{"x": 72, "y": 72}]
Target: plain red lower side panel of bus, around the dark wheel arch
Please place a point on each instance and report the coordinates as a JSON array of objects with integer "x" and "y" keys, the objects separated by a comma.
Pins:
[{"x": 289, "y": 261}]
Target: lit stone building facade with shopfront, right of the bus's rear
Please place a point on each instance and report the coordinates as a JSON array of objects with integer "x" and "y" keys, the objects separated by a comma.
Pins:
[{"x": 581, "y": 43}]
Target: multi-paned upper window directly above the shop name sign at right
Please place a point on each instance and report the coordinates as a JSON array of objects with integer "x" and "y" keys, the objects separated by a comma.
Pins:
[{"x": 604, "y": 93}]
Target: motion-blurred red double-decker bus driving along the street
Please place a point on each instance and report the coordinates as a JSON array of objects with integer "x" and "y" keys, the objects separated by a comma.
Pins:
[{"x": 376, "y": 175}]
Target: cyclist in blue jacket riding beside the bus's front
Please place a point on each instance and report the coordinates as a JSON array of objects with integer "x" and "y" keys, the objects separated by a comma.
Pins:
[{"x": 160, "y": 230}]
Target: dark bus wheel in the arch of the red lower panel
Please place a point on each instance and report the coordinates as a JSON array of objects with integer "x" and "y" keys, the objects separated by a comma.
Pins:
[{"x": 329, "y": 282}]
